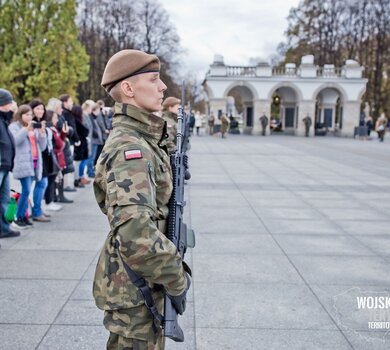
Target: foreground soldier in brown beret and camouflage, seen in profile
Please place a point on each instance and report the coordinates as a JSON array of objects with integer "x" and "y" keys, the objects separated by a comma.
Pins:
[{"x": 132, "y": 186}]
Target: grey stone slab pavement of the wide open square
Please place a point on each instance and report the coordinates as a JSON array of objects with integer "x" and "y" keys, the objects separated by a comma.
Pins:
[{"x": 290, "y": 231}]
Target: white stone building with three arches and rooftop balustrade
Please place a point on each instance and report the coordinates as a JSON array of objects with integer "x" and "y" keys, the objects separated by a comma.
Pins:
[{"x": 331, "y": 96}]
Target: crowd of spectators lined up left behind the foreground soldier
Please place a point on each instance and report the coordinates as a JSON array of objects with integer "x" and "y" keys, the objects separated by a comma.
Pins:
[{"x": 51, "y": 149}]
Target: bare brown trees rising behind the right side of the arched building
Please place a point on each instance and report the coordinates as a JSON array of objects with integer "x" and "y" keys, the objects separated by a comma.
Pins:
[{"x": 335, "y": 30}]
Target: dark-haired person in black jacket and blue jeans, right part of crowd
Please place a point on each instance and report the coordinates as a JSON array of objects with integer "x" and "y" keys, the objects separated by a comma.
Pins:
[{"x": 80, "y": 154}]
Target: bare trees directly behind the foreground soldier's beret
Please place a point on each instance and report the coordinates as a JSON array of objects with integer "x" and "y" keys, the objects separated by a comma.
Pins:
[{"x": 109, "y": 26}]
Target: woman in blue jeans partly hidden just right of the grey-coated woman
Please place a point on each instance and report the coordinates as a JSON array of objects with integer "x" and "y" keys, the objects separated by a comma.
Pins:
[{"x": 39, "y": 115}]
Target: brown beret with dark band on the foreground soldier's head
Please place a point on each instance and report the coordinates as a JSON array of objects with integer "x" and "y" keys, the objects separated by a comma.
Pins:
[{"x": 127, "y": 63}]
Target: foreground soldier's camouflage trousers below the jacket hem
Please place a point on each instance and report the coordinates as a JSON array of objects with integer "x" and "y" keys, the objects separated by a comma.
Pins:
[{"x": 117, "y": 342}]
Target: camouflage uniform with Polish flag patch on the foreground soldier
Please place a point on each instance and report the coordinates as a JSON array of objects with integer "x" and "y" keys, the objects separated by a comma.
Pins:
[{"x": 132, "y": 186}]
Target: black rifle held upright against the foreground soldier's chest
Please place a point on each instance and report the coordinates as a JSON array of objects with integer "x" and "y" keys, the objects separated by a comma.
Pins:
[{"x": 177, "y": 229}]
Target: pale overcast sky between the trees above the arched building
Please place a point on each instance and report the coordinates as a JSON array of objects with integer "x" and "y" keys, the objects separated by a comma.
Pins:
[{"x": 236, "y": 29}]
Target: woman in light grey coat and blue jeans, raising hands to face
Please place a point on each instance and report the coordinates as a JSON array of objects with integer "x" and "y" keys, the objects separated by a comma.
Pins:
[{"x": 30, "y": 141}]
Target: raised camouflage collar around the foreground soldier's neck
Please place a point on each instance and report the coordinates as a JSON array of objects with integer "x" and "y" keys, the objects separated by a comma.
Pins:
[{"x": 146, "y": 123}]
